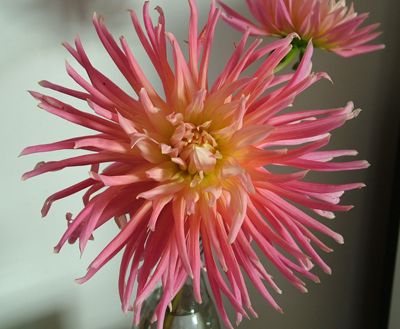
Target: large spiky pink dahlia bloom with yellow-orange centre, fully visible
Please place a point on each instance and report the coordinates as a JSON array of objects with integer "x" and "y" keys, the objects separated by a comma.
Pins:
[{"x": 198, "y": 163}]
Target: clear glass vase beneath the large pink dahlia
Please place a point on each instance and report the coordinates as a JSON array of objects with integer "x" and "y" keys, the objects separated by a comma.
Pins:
[{"x": 186, "y": 313}]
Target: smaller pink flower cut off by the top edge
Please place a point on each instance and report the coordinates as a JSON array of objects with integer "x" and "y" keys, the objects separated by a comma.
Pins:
[{"x": 330, "y": 24}]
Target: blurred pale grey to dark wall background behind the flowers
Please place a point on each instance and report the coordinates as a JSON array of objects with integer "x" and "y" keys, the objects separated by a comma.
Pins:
[{"x": 36, "y": 286}]
